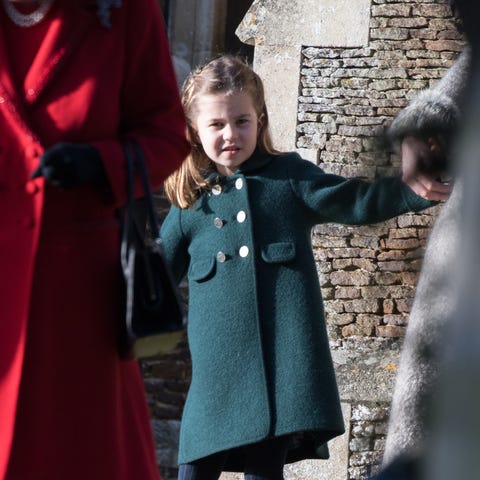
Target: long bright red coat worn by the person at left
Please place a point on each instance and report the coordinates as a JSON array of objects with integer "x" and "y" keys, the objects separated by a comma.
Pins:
[{"x": 69, "y": 407}]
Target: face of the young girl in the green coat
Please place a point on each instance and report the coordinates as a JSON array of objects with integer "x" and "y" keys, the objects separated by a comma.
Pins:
[{"x": 227, "y": 127}]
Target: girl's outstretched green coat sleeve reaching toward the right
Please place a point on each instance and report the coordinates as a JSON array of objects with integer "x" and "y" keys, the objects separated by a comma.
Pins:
[{"x": 333, "y": 198}]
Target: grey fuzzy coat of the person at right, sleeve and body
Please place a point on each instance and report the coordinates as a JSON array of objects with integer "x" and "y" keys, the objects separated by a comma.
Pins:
[{"x": 434, "y": 111}]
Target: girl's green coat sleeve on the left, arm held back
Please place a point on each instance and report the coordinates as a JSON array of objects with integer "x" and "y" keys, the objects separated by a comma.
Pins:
[{"x": 175, "y": 244}]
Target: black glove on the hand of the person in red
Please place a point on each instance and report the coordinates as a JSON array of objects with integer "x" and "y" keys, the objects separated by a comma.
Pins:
[{"x": 70, "y": 165}]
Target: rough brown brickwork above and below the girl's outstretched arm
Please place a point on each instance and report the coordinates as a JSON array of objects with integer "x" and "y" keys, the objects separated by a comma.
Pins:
[{"x": 347, "y": 98}]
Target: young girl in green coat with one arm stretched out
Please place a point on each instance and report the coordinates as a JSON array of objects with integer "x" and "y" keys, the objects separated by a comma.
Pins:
[{"x": 263, "y": 388}]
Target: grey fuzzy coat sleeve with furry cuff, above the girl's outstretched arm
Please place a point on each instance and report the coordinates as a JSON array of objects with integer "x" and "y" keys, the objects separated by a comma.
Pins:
[{"x": 436, "y": 110}]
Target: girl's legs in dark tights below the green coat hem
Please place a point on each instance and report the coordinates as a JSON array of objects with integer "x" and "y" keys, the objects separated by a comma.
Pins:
[{"x": 263, "y": 461}]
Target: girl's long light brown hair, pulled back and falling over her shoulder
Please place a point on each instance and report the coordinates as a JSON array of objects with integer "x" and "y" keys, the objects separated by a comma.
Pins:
[{"x": 226, "y": 75}]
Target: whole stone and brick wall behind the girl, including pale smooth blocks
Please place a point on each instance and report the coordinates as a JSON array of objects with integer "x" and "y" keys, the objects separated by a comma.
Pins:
[{"x": 347, "y": 96}]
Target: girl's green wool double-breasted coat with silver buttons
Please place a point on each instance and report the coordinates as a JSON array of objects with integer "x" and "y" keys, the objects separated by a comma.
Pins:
[{"x": 261, "y": 364}]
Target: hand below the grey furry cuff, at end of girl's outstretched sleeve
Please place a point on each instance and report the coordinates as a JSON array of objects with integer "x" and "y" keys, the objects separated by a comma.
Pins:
[{"x": 422, "y": 163}]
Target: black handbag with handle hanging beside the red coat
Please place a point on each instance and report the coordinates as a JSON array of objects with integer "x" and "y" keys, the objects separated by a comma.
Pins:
[{"x": 152, "y": 321}]
